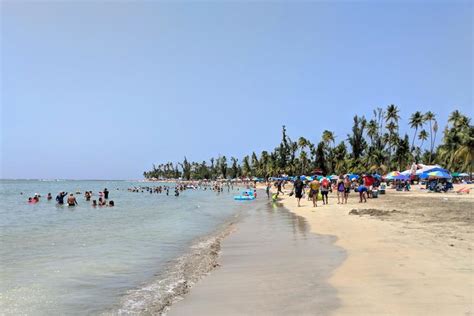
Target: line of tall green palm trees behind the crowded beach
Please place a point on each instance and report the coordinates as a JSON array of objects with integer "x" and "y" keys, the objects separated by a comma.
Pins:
[{"x": 374, "y": 145}]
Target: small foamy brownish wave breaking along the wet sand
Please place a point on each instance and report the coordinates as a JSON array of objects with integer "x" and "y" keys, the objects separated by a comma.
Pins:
[{"x": 156, "y": 297}]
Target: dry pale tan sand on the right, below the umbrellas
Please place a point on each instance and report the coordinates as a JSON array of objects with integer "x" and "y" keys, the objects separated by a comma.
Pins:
[{"x": 412, "y": 254}]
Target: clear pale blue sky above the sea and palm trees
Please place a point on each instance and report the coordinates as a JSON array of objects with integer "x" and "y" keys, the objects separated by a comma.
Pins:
[{"x": 104, "y": 89}]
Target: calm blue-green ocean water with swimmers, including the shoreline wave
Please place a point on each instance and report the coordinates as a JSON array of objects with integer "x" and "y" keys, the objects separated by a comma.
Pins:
[{"x": 60, "y": 260}]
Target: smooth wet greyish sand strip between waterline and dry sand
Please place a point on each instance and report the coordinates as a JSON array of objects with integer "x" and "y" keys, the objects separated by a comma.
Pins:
[{"x": 271, "y": 265}]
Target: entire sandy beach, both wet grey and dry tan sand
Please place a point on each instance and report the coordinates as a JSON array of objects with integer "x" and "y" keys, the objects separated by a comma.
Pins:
[{"x": 404, "y": 254}]
